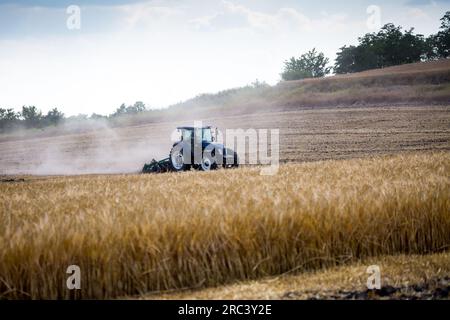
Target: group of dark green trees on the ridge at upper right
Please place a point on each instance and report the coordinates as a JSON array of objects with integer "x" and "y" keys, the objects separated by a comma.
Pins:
[{"x": 389, "y": 46}]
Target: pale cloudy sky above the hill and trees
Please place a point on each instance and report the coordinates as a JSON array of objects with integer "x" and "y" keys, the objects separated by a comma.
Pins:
[{"x": 95, "y": 56}]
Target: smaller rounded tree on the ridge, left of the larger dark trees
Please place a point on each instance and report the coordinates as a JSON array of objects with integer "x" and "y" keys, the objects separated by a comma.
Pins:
[{"x": 312, "y": 64}]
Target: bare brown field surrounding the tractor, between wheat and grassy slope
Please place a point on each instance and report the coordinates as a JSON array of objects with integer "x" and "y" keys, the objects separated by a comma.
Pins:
[{"x": 306, "y": 134}]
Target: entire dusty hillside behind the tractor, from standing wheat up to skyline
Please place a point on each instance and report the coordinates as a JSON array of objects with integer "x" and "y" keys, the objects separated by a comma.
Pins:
[{"x": 399, "y": 109}]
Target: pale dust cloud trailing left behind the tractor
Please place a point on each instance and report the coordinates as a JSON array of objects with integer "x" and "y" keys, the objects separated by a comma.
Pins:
[{"x": 97, "y": 149}]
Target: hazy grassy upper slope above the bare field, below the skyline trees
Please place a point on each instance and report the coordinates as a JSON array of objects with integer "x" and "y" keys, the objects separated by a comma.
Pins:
[{"x": 417, "y": 83}]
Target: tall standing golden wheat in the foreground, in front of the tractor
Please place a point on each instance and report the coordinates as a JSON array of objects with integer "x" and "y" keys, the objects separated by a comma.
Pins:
[{"x": 136, "y": 234}]
